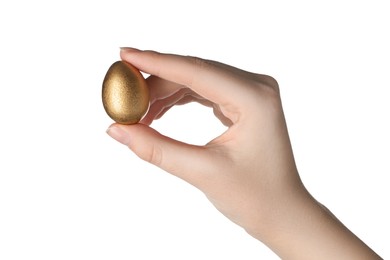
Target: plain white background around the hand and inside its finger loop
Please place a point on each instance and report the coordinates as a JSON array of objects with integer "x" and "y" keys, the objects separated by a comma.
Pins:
[{"x": 68, "y": 191}]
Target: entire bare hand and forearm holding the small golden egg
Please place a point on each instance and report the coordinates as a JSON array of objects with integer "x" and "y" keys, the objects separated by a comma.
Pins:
[{"x": 248, "y": 172}]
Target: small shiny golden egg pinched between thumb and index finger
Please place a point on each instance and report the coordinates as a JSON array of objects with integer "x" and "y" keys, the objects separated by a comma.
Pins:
[{"x": 125, "y": 93}]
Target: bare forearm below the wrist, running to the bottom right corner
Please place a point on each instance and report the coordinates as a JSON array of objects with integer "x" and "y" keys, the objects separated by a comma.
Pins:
[{"x": 308, "y": 230}]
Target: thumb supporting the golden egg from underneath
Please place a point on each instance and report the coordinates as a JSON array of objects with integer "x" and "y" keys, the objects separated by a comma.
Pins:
[{"x": 188, "y": 162}]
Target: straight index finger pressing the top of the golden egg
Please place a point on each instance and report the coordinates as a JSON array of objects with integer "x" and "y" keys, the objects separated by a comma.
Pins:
[{"x": 220, "y": 83}]
